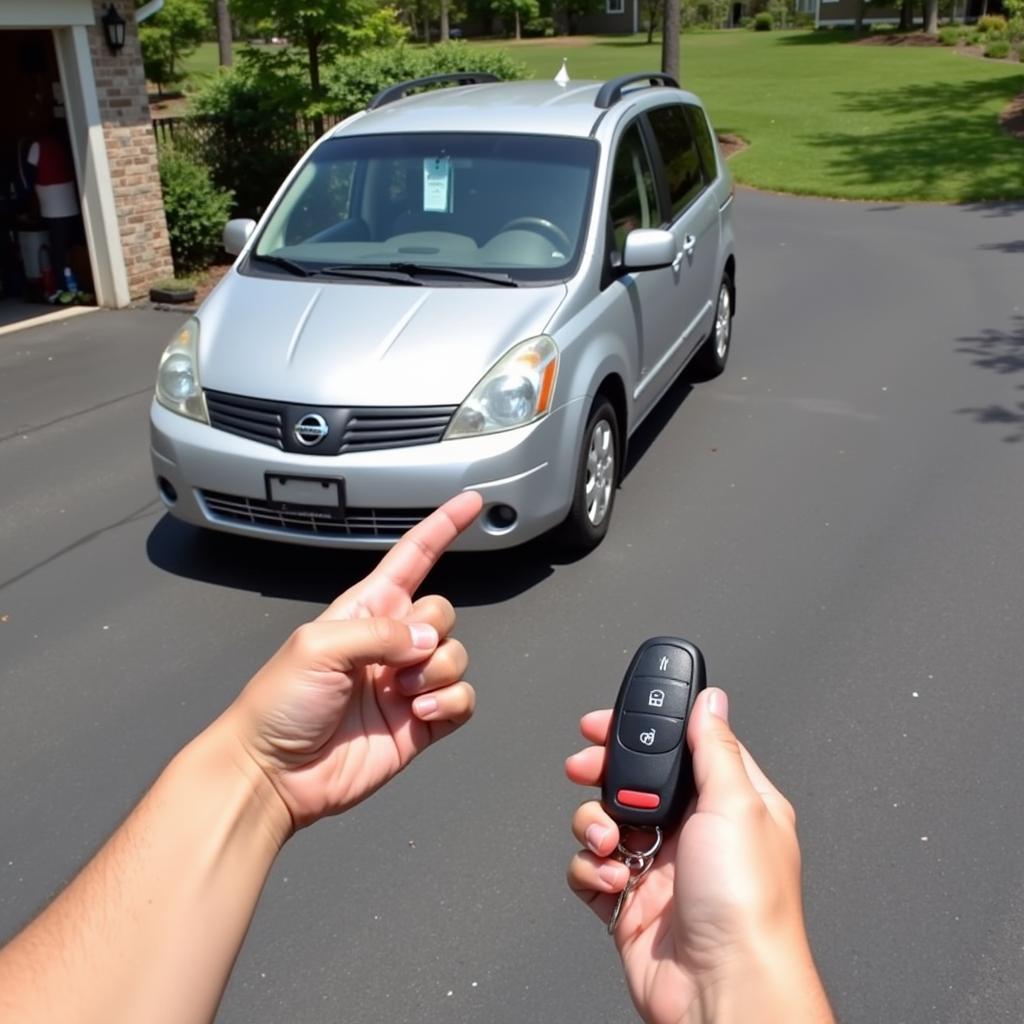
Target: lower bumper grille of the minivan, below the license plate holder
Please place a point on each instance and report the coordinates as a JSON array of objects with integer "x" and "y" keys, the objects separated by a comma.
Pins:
[{"x": 310, "y": 520}]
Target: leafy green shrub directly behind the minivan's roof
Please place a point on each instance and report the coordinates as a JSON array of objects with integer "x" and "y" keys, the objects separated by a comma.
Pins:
[{"x": 353, "y": 83}]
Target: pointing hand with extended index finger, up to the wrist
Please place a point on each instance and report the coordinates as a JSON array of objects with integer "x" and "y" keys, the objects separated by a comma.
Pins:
[{"x": 353, "y": 697}]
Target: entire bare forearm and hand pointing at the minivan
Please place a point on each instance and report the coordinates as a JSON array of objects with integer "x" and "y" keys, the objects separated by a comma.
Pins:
[{"x": 150, "y": 930}]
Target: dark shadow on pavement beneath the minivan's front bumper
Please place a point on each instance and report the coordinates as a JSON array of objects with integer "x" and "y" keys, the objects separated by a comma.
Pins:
[{"x": 305, "y": 574}]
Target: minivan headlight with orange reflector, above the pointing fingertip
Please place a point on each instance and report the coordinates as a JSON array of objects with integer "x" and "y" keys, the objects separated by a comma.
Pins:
[{"x": 517, "y": 392}]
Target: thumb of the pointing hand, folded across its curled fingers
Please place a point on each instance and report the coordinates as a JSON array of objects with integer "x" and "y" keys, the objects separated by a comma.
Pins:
[{"x": 333, "y": 646}]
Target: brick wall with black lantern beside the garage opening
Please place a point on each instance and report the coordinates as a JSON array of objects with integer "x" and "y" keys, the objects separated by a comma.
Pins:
[{"x": 132, "y": 151}]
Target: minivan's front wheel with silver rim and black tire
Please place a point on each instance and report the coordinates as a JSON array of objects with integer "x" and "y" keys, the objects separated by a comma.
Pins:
[{"x": 596, "y": 481}]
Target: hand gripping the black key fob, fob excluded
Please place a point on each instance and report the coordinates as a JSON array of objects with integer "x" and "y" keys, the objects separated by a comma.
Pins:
[{"x": 716, "y": 930}]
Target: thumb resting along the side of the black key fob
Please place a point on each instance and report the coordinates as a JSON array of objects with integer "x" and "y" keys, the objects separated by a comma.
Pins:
[{"x": 719, "y": 776}]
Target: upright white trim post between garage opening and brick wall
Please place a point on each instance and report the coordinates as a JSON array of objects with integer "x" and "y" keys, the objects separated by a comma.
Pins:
[{"x": 103, "y": 233}]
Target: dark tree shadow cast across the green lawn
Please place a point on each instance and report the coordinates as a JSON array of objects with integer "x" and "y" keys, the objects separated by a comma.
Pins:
[{"x": 933, "y": 132}]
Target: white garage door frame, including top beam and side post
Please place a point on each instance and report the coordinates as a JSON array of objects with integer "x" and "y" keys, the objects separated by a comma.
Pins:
[{"x": 69, "y": 20}]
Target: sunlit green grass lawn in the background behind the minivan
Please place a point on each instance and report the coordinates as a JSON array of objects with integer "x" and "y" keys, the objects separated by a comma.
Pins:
[{"x": 825, "y": 117}]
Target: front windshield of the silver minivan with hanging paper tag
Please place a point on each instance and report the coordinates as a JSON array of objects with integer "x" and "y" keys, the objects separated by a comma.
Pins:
[{"x": 498, "y": 204}]
